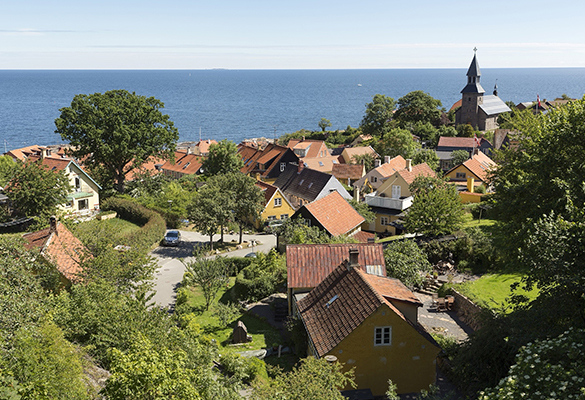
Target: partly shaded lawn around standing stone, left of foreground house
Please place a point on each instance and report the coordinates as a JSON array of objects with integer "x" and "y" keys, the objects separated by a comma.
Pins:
[{"x": 263, "y": 334}]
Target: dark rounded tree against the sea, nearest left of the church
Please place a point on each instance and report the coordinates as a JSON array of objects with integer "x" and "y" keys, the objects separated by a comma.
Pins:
[{"x": 418, "y": 106}]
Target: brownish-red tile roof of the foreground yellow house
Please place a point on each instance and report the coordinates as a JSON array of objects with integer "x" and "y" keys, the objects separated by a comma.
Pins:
[{"x": 339, "y": 304}]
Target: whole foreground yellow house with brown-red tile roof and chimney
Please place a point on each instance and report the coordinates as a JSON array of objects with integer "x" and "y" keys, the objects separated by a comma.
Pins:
[{"x": 369, "y": 322}]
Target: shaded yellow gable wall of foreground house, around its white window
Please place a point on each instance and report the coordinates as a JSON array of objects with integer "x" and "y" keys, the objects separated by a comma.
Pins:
[{"x": 409, "y": 361}]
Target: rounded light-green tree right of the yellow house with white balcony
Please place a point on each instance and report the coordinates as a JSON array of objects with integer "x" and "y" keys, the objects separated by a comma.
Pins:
[{"x": 436, "y": 209}]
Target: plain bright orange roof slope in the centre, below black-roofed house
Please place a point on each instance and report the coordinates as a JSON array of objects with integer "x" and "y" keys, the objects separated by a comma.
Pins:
[{"x": 335, "y": 214}]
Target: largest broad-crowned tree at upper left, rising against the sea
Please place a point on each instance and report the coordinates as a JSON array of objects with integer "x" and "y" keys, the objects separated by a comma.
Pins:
[{"x": 117, "y": 131}]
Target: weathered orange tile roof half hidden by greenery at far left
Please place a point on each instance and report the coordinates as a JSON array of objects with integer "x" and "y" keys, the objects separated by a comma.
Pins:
[{"x": 60, "y": 248}]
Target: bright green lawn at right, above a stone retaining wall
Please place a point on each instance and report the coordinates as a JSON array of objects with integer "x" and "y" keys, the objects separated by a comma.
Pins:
[{"x": 492, "y": 291}]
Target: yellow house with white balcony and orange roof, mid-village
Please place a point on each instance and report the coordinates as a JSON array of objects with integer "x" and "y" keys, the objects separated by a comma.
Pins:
[{"x": 393, "y": 197}]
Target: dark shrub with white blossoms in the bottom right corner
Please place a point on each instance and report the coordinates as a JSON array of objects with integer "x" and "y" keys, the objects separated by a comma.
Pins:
[{"x": 545, "y": 369}]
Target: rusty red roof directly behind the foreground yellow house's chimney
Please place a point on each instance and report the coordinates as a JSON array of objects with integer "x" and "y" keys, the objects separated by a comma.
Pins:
[{"x": 309, "y": 264}]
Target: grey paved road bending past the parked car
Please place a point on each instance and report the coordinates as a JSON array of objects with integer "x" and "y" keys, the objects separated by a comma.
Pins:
[{"x": 170, "y": 272}]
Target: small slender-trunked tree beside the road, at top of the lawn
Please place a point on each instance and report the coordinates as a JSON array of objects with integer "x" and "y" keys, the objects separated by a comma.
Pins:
[{"x": 209, "y": 274}]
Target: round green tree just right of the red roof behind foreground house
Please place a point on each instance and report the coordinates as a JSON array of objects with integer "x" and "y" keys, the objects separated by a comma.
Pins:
[{"x": 407, "y": 262}]
